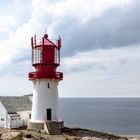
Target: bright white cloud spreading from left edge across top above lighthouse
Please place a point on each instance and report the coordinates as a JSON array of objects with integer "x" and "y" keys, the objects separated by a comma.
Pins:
[{"x": 44, "y": 14}]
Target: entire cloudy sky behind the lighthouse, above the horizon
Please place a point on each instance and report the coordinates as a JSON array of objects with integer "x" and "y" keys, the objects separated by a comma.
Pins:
[{"x": 100, "y": 55}]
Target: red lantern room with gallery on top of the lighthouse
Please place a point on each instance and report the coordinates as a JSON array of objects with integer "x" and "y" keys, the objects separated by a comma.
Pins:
[{"x": 45, "y": 58}]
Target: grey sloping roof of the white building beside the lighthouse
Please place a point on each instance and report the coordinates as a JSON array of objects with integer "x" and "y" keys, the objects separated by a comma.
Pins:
[{"x": 14, "y": 104}]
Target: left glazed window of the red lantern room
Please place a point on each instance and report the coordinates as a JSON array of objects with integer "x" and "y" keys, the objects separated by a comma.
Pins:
[{"x": 37, "y": 55}]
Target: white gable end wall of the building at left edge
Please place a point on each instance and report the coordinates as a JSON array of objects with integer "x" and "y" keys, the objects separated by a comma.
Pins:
[{"x": 3, "y": 116}]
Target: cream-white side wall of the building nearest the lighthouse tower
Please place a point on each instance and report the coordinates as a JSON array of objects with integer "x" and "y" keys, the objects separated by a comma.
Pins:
[{"x": 24, "y": 117}]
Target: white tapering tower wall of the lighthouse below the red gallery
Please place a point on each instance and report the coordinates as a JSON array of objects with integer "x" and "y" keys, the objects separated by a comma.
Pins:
[{"x": 45, "y": 96}]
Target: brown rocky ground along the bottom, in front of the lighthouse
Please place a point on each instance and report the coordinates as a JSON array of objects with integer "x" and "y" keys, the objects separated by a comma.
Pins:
[{"x": 68, "y": 134}]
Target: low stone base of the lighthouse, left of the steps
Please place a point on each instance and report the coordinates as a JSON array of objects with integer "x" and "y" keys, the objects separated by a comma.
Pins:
[{"x": 35, "y": 125}]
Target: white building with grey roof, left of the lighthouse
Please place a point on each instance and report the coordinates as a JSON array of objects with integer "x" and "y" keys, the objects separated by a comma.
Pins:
[{"x": 15, "y": 111}]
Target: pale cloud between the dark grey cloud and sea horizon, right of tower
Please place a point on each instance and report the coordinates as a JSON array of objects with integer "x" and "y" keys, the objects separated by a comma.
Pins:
[{"x": 108, "y": 73}]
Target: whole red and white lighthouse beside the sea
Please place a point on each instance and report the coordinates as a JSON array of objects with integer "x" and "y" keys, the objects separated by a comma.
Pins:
[{"x": 45, "y": 79}]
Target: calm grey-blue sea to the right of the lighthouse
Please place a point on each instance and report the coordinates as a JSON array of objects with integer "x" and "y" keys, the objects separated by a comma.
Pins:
[{"x": 112, "y": 115}]
